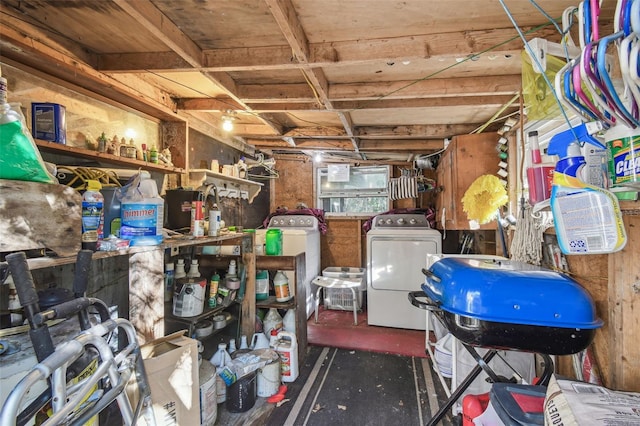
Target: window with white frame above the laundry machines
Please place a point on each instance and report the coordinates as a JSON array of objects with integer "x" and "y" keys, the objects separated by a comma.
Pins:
[{"x": 358, "y": 190}]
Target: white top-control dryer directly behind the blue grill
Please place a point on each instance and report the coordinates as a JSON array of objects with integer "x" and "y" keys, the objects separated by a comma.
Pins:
[{"x": 397, "y": 246}]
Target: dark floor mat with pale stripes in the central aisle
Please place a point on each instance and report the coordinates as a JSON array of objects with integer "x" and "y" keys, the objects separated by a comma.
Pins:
[{"x": 348, "y": 387}]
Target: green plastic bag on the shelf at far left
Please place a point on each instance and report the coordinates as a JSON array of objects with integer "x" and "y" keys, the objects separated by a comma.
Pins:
[{"x": 21, "y": 159}]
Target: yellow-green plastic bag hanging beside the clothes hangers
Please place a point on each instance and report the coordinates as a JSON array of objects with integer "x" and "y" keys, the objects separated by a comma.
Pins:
[{"x": 538, "y": 96}]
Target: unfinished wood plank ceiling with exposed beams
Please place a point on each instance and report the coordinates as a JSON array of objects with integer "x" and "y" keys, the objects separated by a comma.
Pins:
[{"x": 357, "y": 80}]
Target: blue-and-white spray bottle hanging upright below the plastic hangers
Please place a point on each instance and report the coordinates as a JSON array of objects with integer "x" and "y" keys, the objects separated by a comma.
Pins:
[{"x": 587, "y": 218}]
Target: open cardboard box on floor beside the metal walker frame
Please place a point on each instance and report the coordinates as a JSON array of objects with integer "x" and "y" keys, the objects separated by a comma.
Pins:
[{"x": 171, "y": 364}]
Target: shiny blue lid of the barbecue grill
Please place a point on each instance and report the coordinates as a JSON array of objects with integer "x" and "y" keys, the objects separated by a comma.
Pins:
[{"x": 509, "y": 292}]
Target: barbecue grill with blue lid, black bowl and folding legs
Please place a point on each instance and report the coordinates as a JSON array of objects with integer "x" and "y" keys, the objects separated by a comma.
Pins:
[{"x": 502, "y": 304}]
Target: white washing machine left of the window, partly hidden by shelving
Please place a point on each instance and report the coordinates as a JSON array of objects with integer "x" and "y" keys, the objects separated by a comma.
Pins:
[{"x": 300, "y": 233}]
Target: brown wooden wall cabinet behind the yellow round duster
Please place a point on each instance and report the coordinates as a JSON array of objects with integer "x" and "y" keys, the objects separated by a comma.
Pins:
[{"x": 466, "y": 158}]
